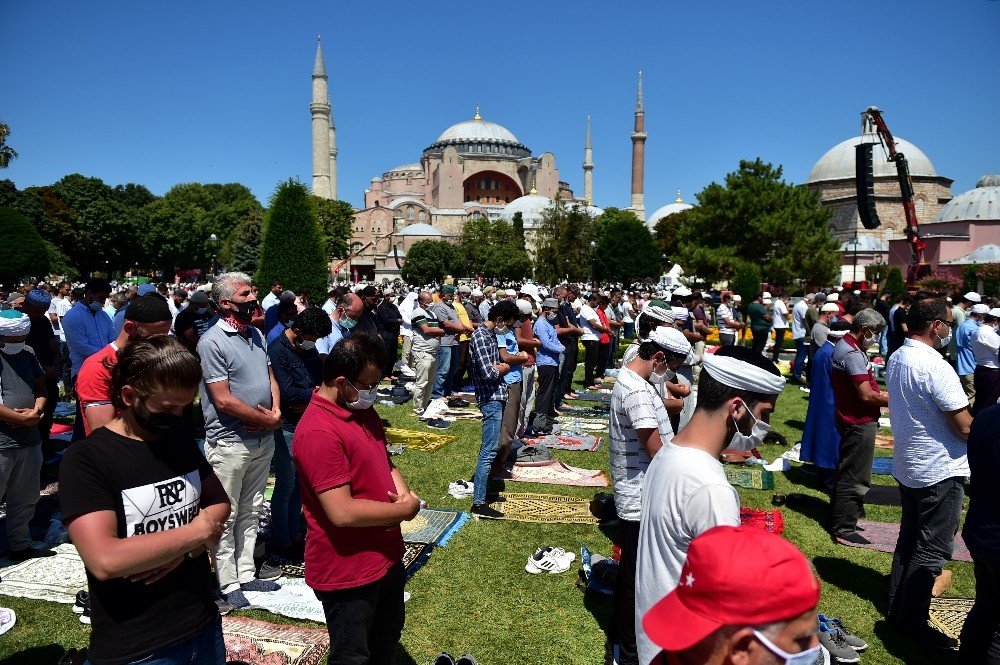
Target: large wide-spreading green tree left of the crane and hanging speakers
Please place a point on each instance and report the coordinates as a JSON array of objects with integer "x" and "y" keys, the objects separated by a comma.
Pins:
[{"x": 757, "y": 217}]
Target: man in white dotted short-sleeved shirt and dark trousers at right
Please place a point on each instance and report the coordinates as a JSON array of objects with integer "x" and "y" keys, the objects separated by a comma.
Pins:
[{"x": 930, "y": 421}]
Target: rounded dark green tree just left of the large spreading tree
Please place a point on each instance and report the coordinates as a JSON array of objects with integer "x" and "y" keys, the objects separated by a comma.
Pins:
[{"x": 626, "y": 250}]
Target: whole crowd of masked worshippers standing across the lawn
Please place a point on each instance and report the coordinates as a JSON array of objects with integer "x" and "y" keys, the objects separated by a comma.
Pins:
[{"x": 287, "y": 383}]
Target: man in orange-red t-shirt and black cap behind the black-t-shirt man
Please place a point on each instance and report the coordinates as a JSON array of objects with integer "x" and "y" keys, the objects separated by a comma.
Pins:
[{"x": 146, "y": 316}]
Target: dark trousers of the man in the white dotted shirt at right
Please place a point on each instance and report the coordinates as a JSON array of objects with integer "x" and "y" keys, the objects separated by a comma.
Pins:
[{"x": 926, "y": 540}]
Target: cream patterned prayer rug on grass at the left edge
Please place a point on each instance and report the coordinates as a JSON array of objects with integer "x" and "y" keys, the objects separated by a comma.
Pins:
[{"x": 55, "y": 578}]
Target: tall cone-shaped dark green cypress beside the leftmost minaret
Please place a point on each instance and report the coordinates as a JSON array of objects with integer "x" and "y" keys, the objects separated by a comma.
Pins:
[{"x": 292, "y": 249}]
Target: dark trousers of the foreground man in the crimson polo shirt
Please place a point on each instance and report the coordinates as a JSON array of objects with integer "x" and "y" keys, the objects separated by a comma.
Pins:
[{"x": 366, "y": 622}]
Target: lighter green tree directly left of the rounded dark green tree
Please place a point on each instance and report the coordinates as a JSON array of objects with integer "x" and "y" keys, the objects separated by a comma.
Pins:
[{"x": 562, "y": 248}]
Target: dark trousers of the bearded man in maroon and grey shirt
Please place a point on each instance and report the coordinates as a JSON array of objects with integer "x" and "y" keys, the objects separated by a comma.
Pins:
[{"x": 853, "y": 476}]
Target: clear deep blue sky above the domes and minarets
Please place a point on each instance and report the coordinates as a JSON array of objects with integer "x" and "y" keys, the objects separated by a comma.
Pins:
[{"x": 162, "y": 93}]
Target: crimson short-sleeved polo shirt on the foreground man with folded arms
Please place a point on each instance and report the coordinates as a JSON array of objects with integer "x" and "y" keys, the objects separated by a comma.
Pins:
[{"x": 334, "y": 446}]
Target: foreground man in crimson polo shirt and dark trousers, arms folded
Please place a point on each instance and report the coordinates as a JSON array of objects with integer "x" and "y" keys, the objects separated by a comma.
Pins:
[{"x": 354, "y": 500}]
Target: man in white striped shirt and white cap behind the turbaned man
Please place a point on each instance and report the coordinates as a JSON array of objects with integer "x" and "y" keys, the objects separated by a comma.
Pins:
[{"x": 638, "y": 427}]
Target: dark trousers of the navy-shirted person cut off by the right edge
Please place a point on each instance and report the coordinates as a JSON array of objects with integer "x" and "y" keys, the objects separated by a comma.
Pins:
[{"x": 980, "y": 642}]
